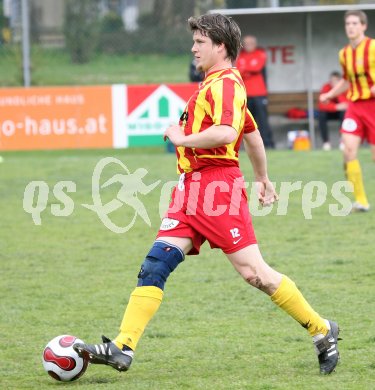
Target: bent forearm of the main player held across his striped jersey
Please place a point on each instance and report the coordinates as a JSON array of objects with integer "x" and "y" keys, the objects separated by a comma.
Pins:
[{"x": 213, "y": 137}]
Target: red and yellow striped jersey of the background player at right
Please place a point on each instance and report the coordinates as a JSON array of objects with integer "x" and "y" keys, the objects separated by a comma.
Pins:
[{"x": 358, "y": 65}]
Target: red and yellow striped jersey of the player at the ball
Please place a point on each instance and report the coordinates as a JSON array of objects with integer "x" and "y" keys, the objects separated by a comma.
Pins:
[{"x": 219, "y": 100}]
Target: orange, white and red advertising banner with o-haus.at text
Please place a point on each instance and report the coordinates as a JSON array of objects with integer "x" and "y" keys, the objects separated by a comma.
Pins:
[{"x": 115, "y": 116}]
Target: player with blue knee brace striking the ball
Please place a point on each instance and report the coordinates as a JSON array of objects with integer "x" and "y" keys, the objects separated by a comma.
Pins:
[{"x": 210, "y": 202}]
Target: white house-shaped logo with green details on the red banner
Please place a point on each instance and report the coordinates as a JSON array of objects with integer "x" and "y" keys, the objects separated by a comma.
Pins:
[{"x": 153, "y": 116}]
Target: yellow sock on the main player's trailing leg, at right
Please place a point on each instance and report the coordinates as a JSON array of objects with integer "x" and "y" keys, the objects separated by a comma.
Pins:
[{"x": 290, "y": 299}]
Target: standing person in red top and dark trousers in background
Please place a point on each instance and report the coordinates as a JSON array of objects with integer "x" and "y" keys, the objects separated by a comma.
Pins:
[{"x": 251, "y": 63}]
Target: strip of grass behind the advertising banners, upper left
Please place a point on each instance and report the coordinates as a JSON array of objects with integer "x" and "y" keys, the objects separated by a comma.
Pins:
[{"x": 54, "y": 67}]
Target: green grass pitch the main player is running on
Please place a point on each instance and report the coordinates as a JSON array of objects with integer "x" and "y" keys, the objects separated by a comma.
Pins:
[{"x": 71, "y": 275}]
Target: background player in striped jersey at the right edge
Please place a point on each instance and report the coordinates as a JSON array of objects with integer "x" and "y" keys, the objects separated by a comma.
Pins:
[{"x": 357, "y": 60}]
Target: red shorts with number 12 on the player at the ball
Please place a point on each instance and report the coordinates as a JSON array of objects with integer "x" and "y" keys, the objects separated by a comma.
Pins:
[{"x": 210, "y": 204}]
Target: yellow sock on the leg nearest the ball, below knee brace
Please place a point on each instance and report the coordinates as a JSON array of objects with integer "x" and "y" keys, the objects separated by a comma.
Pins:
[{"x": 143, "y": 304}]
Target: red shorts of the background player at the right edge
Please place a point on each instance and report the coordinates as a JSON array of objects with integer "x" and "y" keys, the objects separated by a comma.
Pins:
[{"x": 359, "y": 120}]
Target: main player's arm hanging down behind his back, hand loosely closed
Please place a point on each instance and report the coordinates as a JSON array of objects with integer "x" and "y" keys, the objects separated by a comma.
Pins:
[{"x": 254, "y": 148}]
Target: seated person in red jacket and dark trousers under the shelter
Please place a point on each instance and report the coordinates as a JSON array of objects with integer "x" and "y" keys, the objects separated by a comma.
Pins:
[{"x": 330, "y": 110}]
